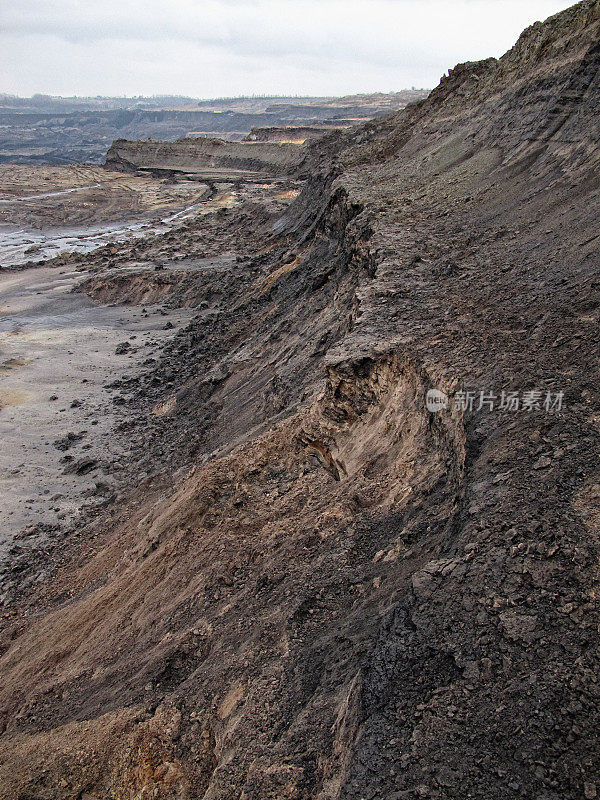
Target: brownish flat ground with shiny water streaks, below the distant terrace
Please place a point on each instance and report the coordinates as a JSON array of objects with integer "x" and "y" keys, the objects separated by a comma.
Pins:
[{"x": 51, "y": 211}]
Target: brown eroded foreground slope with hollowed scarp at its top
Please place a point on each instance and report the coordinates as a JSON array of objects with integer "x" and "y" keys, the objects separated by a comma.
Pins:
[{"x": 371, "y": 417}]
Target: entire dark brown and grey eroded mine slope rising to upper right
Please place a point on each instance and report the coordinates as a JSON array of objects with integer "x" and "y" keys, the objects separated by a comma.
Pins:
[{"x": 347, "y": 596}]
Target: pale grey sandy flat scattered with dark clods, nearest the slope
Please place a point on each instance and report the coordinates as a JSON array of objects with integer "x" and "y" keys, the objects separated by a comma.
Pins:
[{"x": 57, "y": 352}]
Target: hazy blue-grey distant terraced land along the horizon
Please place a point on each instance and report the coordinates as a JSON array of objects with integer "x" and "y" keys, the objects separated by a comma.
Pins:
[{"x": 63, "y": 130}]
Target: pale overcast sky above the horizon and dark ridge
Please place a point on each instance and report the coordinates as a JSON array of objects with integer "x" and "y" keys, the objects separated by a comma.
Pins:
[{"x": 212, "y": 48}]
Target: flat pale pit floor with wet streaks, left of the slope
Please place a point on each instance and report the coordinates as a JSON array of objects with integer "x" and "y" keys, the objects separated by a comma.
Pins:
[{"x": 59, "y": 348}]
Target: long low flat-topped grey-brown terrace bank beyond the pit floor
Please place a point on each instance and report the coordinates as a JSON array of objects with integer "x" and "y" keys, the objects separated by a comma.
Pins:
[{"x": 207, "y": 157}]
